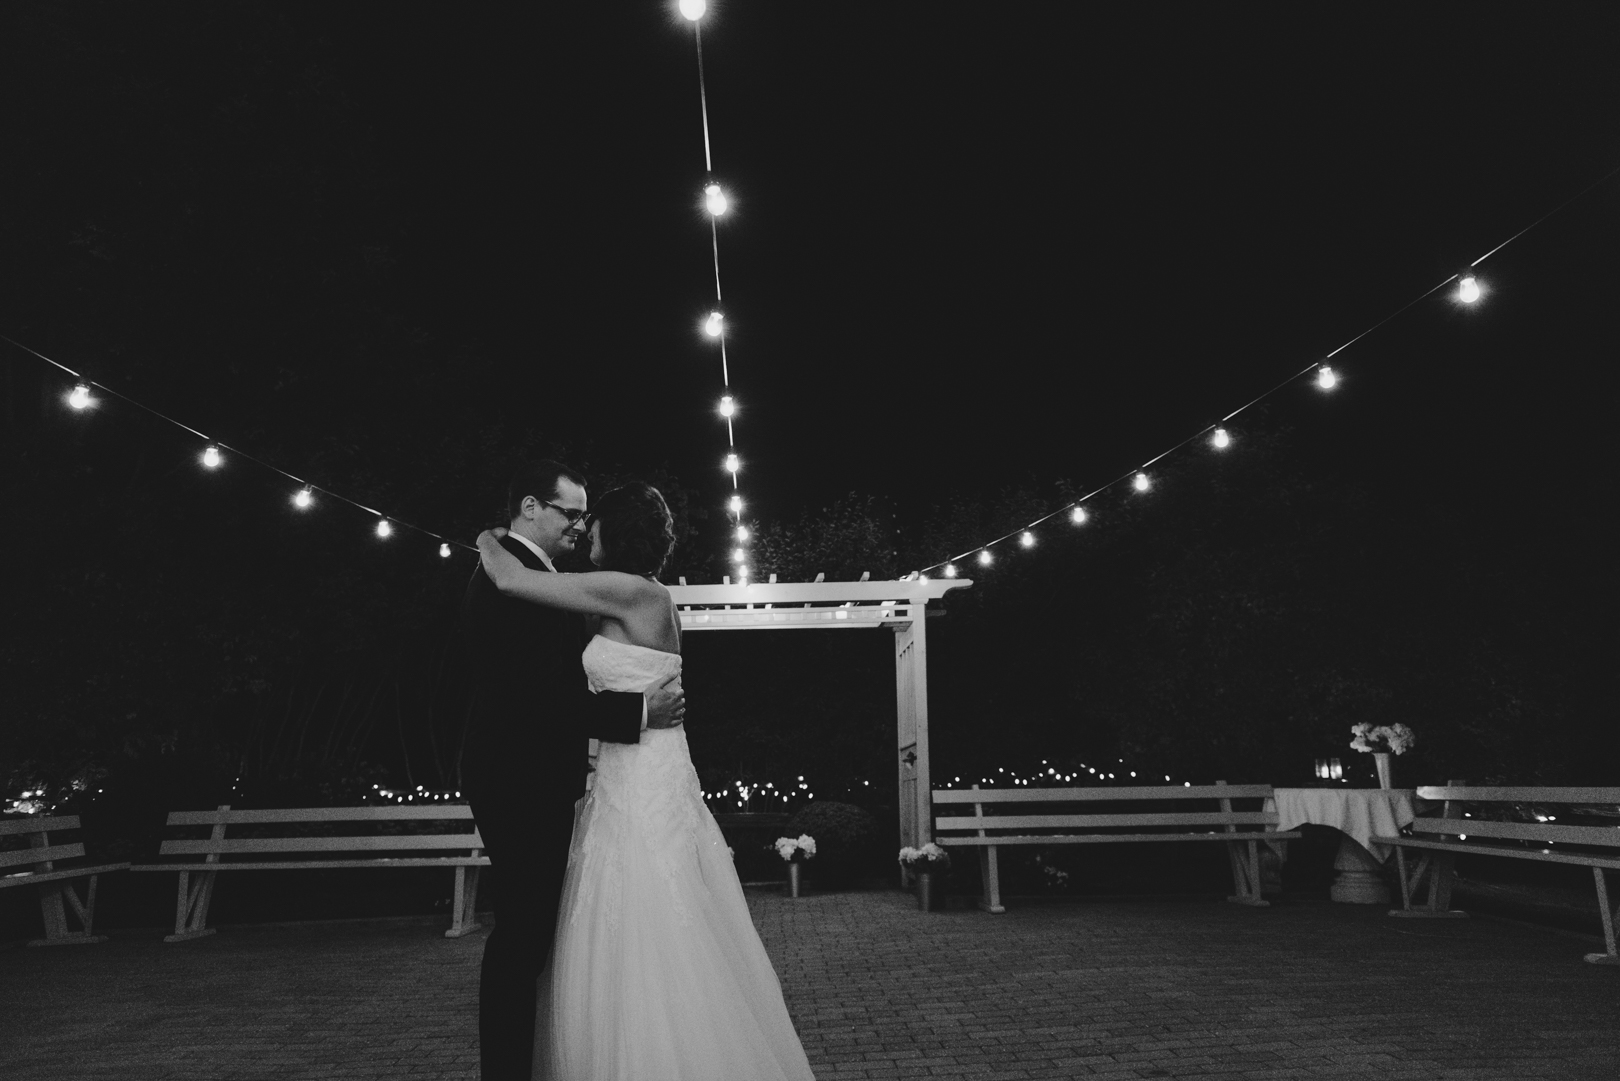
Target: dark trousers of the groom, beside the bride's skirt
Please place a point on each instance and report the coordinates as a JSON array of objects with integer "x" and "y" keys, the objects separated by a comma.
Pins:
[{"x": 527, "y": 842}]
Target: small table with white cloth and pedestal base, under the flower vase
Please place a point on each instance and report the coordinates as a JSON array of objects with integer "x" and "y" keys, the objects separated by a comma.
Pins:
[{"x": 1360, "y": 814}]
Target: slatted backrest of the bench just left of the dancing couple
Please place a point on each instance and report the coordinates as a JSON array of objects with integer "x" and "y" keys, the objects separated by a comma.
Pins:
[{"x": 265, "y": 839}]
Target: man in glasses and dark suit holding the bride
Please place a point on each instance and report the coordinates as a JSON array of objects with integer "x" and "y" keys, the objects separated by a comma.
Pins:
[{"x": 527, "y": 754}]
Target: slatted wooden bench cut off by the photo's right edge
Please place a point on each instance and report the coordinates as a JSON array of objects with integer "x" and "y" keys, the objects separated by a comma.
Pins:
[{"x": 1457, "y": 831}]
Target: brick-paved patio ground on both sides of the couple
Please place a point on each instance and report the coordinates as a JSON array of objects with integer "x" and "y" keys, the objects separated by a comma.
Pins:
[{"x": 1119, "y": 989}]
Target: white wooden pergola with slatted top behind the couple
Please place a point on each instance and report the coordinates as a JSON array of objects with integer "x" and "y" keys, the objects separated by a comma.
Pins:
[{"x": 902, "y": 607}]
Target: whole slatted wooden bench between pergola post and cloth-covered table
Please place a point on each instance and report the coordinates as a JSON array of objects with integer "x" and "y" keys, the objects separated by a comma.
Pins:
[{"x": 1123, "y": 818}]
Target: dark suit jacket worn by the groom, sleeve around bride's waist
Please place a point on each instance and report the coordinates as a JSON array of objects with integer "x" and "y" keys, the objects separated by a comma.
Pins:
[{"x": 534, "y": 711}]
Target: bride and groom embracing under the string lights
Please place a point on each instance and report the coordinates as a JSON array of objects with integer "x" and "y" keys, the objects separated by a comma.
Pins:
[{"x": 623, "y": 947}]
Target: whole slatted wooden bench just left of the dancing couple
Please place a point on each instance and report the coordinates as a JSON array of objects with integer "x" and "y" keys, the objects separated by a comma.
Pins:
[{"x": 263, "y": 850}]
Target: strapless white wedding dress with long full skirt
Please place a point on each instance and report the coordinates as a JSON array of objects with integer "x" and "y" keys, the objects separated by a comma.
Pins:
[{"x": 659, "y": 973}]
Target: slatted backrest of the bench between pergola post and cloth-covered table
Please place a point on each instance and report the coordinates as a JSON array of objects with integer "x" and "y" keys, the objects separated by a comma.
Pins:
[{"x": 1112, "y": 819}]
